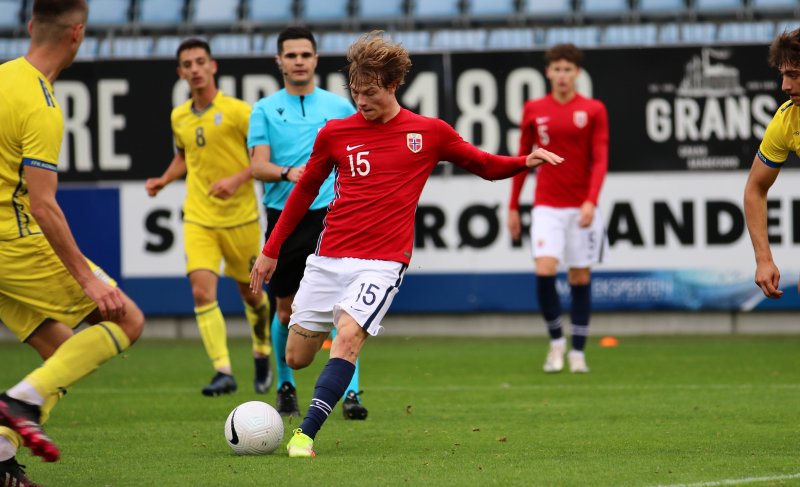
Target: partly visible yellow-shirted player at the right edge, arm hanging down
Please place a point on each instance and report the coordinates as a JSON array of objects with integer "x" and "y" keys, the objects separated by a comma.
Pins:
[{"x": 779, "y": 140}]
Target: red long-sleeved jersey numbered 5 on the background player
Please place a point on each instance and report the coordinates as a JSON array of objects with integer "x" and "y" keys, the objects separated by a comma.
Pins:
[{"x": 578, "y": 132}]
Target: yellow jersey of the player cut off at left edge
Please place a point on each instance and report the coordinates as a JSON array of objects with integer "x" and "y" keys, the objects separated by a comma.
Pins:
[{"x": 31, "y": 129}]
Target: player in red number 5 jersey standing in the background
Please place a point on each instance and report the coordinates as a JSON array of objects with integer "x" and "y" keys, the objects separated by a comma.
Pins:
[{"x": 566, "y": 224}]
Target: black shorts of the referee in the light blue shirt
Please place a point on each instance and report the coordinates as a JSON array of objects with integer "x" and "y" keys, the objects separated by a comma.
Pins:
[{"x": 292, "y": 259}]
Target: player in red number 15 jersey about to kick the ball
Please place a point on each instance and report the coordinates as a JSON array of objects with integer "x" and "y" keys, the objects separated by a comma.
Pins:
[{"x": 382, "y": 157}]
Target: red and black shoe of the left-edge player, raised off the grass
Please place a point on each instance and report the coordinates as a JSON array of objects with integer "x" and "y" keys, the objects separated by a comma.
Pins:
[{"x": 23, "y": 418}]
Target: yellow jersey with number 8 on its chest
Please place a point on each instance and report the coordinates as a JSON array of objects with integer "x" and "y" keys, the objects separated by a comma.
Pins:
[{"x": 214, "y": 144}]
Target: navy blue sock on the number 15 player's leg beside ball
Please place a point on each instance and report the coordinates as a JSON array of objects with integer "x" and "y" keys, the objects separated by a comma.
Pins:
[{"x": 331, "y": 385}]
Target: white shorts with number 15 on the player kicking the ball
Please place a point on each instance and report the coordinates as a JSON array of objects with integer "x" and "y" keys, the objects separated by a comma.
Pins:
[{"x": 364, "y": 289}]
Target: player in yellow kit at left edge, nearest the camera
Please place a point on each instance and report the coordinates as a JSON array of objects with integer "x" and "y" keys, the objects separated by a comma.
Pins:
[{"x": 47, "y": 286}]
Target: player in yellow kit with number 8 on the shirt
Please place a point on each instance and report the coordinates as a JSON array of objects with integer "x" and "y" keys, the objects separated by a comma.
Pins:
[{"x": 220, "y": 211}]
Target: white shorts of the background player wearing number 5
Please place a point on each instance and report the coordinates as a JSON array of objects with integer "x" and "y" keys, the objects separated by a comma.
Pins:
[{"x": 555, "y": 233}]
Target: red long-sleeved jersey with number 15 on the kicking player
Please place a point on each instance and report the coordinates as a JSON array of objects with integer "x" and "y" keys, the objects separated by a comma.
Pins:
[{"x": 380, "y": 170}]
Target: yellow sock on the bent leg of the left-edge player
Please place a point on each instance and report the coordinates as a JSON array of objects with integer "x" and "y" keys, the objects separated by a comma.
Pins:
[{"x": 78, "y": 357}]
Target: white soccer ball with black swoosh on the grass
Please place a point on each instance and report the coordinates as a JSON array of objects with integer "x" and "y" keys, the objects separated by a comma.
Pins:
[{"x": 254, "y": 428}]
